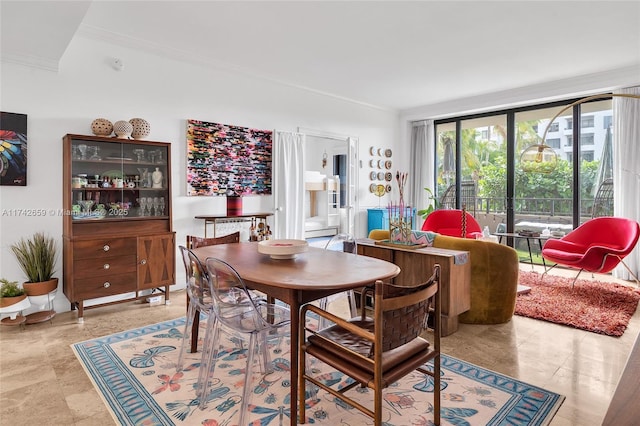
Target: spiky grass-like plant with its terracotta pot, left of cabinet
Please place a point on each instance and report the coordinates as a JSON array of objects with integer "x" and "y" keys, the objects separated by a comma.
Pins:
[{"x": 37, "y": 258}]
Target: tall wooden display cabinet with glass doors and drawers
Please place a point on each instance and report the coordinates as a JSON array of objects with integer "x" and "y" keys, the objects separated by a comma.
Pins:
[{"x": 117, "y": 231}]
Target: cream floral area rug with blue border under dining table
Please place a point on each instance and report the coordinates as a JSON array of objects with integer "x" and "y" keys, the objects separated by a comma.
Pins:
[{"x": 134, "y": 372}]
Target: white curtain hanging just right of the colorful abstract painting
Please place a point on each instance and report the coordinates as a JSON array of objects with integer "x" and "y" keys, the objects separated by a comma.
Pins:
[{"x": 288, "y": 184}]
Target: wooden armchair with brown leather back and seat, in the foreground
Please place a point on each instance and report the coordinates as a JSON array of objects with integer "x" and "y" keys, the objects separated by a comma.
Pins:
[{"x": 378, "y": 351}]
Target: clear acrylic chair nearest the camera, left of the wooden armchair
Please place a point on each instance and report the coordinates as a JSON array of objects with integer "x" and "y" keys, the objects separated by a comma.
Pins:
[{"x": 246, "y": 319}]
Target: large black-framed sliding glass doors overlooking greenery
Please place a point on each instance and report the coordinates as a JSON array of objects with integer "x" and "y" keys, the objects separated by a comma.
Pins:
[{"x": 504, "y": 189}]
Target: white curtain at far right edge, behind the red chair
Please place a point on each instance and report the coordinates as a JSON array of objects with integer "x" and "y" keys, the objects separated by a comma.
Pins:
[{"x": 626, "y": 178}]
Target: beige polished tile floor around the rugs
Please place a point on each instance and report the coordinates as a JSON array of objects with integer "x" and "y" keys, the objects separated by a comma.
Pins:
[{"x": 42, "y": 383}]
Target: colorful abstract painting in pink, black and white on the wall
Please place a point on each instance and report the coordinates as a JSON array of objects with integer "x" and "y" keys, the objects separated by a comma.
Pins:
[{"x": 228, "y": 160}]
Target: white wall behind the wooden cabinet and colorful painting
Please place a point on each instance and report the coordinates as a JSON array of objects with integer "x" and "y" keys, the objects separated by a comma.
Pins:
[{"x": 166, "y": 93}]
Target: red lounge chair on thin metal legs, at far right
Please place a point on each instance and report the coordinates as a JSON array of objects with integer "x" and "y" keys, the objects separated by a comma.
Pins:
[{"x": 597, "y": 245}]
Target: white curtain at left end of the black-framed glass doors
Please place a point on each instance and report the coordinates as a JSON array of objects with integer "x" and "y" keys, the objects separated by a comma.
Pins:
[{"x": 422, "y": 163}]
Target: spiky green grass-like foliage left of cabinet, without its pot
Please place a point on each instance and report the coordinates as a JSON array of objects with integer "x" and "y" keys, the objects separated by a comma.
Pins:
[{"x": 36, "y": 257}]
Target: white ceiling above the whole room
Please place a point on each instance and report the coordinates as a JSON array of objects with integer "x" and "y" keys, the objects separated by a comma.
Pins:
[{"x": 389, "y": 54}]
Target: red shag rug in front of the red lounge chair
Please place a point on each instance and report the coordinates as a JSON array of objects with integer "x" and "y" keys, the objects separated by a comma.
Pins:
[{"x": 595, "y": 306}]
